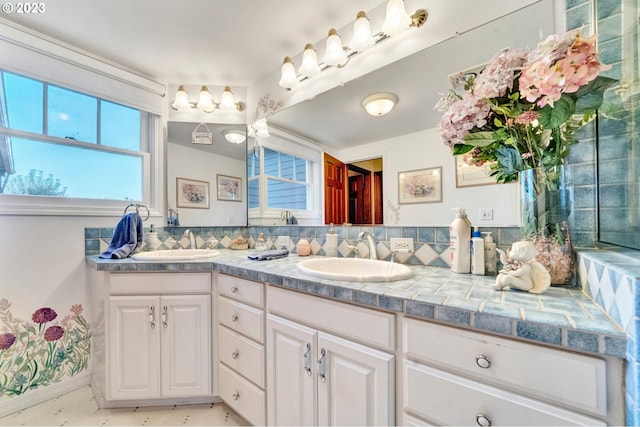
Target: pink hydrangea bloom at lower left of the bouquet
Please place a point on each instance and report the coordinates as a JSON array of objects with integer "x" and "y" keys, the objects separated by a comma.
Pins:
[{"x": 463, "y": 115}]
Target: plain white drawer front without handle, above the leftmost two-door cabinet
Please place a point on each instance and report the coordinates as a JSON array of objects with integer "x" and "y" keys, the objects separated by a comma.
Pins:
[{"x": 159, "y": 283}]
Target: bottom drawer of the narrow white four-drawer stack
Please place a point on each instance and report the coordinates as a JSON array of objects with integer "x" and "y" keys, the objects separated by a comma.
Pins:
[{"x": 243, "y": 397}]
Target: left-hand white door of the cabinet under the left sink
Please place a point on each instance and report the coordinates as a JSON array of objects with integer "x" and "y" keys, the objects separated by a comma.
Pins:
[{"x": 133, "y": 360}]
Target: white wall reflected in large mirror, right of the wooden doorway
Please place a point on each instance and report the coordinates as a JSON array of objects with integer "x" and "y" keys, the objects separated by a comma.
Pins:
[{"x": 422, "y": 150}]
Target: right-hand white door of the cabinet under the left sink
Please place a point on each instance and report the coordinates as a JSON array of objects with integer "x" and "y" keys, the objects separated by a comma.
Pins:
[{"x": 186, "y": 345}]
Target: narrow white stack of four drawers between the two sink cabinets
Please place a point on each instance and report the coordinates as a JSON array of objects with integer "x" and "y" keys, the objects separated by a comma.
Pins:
[{"x": 241, "y": 350}]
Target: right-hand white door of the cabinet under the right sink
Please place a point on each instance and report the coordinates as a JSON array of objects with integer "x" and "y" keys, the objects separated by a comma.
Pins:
[{"x": 356, "y": 383}]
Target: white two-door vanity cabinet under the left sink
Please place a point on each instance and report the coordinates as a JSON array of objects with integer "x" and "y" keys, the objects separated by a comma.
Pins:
[{"x": 157, "y": 337}]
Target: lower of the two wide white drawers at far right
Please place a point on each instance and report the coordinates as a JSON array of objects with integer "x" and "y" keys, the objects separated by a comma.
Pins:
[{"x": 447, "y": 399}]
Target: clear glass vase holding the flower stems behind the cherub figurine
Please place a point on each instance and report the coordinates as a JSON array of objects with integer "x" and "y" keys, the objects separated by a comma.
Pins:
[{"x": 546, "y": 205}]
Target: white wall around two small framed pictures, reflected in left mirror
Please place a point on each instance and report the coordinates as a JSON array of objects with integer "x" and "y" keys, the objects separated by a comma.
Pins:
[{"x": 191, "y": 163}]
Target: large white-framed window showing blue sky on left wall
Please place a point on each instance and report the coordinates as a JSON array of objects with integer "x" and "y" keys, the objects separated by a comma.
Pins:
[{"x": 58, "y": 142}]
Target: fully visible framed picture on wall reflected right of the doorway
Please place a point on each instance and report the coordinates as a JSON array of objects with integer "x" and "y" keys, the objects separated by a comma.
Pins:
[{"x": 420, "y": 186}]
